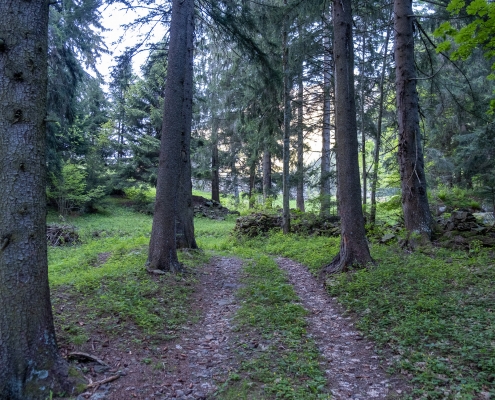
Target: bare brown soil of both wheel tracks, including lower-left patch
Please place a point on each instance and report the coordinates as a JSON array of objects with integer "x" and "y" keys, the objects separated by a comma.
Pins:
[{"x": 195, "y": 364}]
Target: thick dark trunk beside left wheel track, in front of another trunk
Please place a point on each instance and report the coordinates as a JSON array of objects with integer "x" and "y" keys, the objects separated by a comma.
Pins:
[{"x": 162, "y": 251}]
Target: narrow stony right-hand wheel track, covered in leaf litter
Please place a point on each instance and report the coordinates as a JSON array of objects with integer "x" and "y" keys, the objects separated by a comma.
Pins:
[{"x": 353, "y": 368}]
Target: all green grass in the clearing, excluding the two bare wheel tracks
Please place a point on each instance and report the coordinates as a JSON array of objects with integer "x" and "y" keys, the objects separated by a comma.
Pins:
[{"x": 434, "y": 309}]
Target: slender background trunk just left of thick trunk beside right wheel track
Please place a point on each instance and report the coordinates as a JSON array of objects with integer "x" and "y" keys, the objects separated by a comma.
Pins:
[{"x": 325, "y": 185}]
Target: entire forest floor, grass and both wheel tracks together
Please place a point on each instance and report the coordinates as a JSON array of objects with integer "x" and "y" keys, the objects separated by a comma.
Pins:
[{"x": 249, "y": 320}]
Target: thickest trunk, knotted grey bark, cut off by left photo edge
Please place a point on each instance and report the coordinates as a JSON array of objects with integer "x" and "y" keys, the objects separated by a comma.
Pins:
[{"x": 30, "y": 365}]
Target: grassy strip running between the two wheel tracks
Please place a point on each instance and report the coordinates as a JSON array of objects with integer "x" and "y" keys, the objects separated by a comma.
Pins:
[{"x": 277, "y": 358}]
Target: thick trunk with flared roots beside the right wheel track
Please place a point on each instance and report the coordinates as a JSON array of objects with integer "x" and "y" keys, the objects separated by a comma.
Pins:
[{"x": 353, "y": 245}]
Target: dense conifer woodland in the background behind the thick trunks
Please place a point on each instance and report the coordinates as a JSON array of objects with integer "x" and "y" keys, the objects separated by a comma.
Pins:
[{"x": 103, "y": 137}]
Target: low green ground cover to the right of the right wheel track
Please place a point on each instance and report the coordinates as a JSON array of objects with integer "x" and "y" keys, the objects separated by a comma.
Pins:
[{"x": 436, "y": 316}]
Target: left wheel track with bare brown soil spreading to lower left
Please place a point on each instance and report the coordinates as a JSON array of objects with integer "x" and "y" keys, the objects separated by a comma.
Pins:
[{"x": 194, "y": 364}]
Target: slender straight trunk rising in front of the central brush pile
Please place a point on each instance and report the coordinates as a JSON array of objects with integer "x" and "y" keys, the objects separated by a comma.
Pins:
[{"x": 287, "y": 117}]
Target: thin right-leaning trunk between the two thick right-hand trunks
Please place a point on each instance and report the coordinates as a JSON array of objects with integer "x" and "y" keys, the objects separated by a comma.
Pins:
[{"x": 376, "y": 154}]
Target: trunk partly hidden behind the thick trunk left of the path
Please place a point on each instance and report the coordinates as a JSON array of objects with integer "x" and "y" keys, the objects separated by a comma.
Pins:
[{"x": 185, "y": 238}]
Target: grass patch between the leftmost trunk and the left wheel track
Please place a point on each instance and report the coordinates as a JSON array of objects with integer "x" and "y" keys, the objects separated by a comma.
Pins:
[{"x": 101, "y": 286}]
